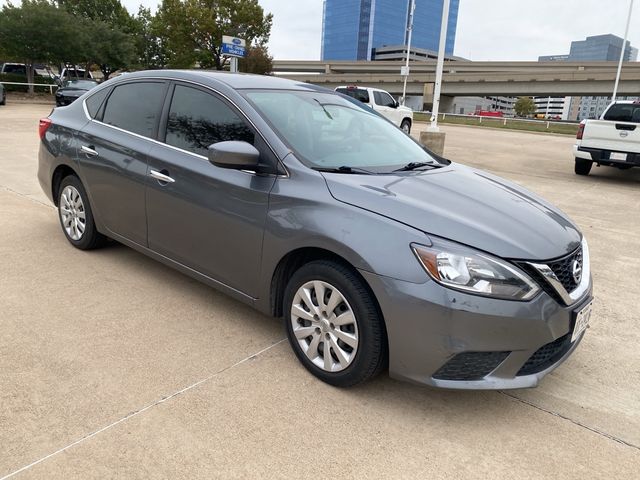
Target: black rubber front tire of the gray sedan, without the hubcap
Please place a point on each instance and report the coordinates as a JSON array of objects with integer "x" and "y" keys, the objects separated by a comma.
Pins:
[{"x": 371, "y": 354}]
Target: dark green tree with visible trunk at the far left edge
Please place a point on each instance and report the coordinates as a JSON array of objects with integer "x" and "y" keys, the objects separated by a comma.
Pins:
[{"x": 23, "y": 29}]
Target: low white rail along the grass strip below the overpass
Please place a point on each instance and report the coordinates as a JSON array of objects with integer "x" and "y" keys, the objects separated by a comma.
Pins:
[{"x": 560, "y": 126}]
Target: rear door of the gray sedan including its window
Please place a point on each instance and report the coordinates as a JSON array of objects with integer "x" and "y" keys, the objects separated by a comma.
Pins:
[{"x": 113, "y": 150}]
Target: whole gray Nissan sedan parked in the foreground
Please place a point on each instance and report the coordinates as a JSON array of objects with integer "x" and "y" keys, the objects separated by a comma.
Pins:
[{"x": 311, "y": 207}]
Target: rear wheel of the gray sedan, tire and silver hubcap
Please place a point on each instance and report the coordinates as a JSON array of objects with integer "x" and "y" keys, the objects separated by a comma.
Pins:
[{"x": 76, "y": 217}]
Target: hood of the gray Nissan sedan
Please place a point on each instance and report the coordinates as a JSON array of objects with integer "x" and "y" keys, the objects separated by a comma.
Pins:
[{"x": 465, "y": 205}]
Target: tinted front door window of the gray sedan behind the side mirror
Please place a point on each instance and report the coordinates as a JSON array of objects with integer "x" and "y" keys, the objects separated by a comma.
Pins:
[{"x": 198, "y": 119}]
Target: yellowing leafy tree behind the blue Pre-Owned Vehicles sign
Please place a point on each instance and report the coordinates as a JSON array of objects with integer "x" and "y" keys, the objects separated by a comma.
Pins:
[{"x": 191, "y": 30}]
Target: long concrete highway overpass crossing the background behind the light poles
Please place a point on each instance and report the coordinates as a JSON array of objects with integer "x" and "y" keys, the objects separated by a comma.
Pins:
[{"x": 465, "y": 78}]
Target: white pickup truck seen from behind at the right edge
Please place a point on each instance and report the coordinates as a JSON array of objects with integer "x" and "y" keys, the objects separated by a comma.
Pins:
[{"x": 613, "y": 140}]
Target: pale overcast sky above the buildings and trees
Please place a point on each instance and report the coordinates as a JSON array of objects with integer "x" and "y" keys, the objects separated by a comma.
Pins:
[{"x": 487, "y": 29}]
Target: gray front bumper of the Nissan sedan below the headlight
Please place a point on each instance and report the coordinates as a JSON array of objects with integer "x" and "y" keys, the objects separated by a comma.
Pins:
[{"x": 429, "y": 327}]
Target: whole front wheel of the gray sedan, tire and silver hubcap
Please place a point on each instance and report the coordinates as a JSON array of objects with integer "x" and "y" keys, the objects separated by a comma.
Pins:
[{"x": 333, "y": 324}]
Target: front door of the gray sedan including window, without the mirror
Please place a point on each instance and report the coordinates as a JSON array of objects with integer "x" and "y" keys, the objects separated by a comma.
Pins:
[{"x": 207, "y": 218}]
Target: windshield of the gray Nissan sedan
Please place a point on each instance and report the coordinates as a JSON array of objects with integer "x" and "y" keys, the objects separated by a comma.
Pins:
[{"x": 328, "y": 131}]
